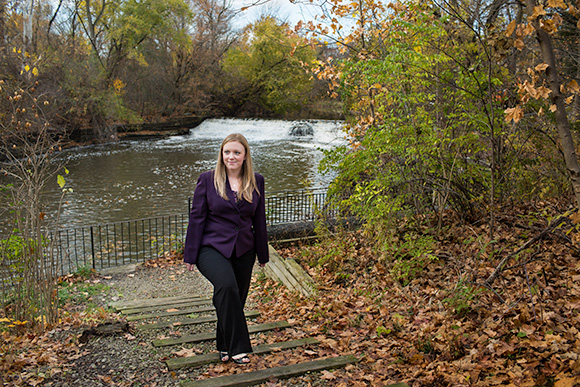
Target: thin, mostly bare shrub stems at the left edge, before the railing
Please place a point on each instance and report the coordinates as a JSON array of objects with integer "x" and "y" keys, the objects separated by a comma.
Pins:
[{"x": 28, "y": 259}]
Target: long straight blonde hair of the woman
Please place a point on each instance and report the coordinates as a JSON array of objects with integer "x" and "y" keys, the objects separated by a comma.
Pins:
[{"x": 248, "y": 178}]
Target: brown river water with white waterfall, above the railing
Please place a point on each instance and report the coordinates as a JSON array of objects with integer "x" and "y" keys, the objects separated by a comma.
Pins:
[{"x": 155, "y": 177}]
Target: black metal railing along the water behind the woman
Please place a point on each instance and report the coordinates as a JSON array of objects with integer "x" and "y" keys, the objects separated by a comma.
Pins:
[{"x": 132, "y": 241}]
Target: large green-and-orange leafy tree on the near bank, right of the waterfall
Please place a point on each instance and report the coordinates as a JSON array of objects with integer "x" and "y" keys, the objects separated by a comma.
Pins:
[{"x": 425, "y": 85}]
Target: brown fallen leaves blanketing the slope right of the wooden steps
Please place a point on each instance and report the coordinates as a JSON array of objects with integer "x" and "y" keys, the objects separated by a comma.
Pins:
[{"x": 415, "y": 334}]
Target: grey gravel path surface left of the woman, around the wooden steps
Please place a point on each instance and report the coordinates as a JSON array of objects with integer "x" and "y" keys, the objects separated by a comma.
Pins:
[{"x": 130, "y": 359}]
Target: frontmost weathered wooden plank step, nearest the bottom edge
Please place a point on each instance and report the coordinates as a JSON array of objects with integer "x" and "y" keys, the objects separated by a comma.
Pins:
[{"x": 262, "y": 376}]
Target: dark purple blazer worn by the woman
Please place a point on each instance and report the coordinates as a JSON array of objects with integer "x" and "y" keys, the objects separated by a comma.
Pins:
[{"x": 225, "y": 225}]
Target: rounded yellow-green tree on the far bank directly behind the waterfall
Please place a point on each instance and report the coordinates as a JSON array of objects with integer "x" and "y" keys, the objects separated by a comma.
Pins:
[{"x": 266, "y": 71}]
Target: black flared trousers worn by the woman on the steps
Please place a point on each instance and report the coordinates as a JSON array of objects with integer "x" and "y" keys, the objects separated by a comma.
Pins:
[{"x": 230, "y": 278}]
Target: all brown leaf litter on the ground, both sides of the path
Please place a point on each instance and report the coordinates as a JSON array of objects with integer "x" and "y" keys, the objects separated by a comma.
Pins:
[{"x": 445, "y": 327}]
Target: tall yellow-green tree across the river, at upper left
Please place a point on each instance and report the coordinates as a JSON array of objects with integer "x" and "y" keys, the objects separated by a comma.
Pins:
[{"x": 115, "y": 35}]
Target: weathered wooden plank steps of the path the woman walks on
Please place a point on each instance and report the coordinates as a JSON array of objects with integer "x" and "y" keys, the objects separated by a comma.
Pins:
[{"x": 150, "y": 311}]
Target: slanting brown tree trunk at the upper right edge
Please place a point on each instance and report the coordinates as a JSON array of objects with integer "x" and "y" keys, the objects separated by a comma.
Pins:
[{"x": 562, "y": 123}]
